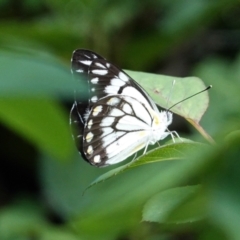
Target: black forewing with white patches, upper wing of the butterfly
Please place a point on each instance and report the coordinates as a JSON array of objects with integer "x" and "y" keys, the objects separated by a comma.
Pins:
[{"x": 100, "y": 78}]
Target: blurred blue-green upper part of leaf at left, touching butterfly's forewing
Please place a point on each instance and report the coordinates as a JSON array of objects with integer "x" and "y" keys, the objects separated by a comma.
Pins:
[{"x": 30, "y": 73}]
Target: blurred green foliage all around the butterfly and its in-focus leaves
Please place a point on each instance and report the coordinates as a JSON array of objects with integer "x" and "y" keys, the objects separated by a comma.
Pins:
[{"x": 42, "y": 177}]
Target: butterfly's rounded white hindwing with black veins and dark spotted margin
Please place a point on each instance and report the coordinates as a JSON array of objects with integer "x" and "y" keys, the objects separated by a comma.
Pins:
[{"x": 116, "y": 124}]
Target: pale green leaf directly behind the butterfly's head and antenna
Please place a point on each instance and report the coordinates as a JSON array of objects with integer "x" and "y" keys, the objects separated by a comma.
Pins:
[{"x": 159, "y": 88}]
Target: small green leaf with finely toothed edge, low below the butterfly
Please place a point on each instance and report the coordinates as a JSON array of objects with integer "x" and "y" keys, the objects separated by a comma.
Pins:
[{"x": 175, "y": 205}]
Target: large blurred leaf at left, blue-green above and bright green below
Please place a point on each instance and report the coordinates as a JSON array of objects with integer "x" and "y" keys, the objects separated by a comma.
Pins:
[{"x": 29, "y": 83}]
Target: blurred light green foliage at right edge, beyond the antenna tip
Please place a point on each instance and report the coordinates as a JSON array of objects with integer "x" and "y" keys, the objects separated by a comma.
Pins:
[{"x": 224, "y": 108}]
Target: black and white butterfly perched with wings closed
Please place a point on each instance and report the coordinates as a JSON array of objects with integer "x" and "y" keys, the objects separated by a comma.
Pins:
[{"x": 112, "y": 116}]
